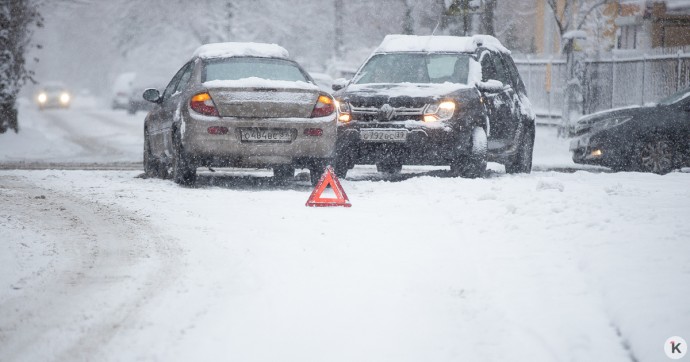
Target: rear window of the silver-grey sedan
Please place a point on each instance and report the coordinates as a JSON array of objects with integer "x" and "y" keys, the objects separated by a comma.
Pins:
[{"x": 248, "y": 67}]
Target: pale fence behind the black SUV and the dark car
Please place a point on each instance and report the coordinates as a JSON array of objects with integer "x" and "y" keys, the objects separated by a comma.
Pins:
[{"x": 609, "y": 83}]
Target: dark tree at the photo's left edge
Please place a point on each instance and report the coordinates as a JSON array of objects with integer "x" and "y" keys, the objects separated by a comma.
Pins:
[{"x": 17, "y": 20}]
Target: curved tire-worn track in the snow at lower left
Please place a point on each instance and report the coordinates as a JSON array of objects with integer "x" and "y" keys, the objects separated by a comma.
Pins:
[{"x": 106, "y": 266}]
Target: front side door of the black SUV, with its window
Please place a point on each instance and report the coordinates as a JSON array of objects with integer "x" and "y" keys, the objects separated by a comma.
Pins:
[{"x": 500, "y": 103}]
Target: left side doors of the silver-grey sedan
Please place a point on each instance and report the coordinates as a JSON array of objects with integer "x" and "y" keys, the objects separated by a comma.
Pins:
[{"x": 162, "y": 117}]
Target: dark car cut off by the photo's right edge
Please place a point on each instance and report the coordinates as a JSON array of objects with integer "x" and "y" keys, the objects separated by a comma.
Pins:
[{"x": 653, "y": 138}]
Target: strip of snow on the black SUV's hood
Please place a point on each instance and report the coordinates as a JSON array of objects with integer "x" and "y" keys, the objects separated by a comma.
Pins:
[{"x": 407, "y": 89}]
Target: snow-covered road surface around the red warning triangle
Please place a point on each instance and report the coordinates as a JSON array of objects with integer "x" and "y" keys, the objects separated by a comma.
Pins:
[{"x": 104, "y": 265}]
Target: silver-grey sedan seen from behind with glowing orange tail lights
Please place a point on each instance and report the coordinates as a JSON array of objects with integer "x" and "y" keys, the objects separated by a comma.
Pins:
[{"x": 239, "y": 105}]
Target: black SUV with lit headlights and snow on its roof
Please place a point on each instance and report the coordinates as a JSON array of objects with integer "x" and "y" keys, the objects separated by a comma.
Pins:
[{"x": 435, "y": 100}]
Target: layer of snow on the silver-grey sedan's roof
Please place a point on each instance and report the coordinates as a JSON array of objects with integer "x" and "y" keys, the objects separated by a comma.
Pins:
[{"x": 232, "y": 49}]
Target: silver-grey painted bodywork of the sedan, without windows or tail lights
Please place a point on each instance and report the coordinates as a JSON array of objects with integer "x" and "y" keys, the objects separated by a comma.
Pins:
[{"x": 172, "y": 113}]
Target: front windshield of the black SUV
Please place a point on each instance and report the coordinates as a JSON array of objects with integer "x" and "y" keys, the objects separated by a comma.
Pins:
[{"x": 415, "y": 68}]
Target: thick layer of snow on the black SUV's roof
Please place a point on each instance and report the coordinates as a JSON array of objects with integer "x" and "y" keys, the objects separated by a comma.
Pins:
[{"x": 442, "y": 43}]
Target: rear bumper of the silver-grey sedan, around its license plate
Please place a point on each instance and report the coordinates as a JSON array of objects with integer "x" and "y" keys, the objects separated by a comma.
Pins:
[{"x": 229, "y": 150}]
